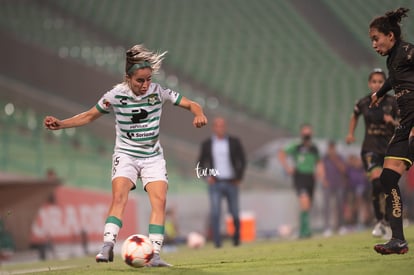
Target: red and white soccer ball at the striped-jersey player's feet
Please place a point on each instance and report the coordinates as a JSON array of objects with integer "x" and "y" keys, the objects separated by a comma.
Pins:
[{"x": 137, "y": 250}]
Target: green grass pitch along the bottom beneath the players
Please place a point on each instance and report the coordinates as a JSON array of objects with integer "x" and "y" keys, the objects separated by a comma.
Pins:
[{"x": 349, "y": 254}]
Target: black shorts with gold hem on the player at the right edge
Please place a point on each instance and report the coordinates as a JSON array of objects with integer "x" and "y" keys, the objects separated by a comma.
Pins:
[{"x": 399, "y": 147}]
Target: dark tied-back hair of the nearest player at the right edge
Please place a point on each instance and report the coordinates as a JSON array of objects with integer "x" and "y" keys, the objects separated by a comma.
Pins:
[{"x": 390, "y": 22}]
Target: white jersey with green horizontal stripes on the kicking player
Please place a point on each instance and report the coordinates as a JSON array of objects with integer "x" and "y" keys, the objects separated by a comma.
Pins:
[{"x": 137, "y": 118}]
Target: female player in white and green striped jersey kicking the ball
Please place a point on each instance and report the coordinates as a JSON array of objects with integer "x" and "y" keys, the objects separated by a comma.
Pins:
[{"x": 137, "y": 104}]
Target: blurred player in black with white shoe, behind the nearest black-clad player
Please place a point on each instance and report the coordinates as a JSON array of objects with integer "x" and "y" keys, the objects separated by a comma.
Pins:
[{"x": 380, "y": 122}]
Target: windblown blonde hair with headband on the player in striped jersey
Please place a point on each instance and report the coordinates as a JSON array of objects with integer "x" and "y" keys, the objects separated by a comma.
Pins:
[{"x": 140, "y": 57}]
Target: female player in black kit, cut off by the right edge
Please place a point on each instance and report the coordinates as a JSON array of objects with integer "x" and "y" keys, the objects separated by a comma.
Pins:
[{"x": 385, "y": 34}]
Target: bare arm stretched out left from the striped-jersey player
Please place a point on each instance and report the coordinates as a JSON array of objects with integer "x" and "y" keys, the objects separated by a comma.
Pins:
[{"x": 81, "y": 119}]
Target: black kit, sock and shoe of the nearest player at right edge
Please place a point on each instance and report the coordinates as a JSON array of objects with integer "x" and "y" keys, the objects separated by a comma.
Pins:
[{"x": 400, "y": 63}]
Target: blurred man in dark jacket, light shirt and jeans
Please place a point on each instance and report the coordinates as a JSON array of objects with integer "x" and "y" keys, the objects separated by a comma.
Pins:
[{"x": 222, "y": 156}]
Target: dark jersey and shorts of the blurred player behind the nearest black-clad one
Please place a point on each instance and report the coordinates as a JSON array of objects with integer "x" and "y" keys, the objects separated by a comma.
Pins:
[{"x": 377, "y": 132}]
